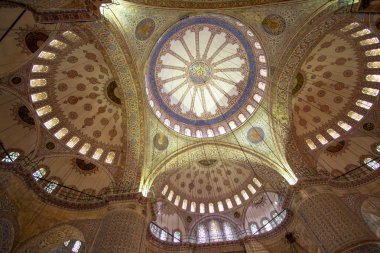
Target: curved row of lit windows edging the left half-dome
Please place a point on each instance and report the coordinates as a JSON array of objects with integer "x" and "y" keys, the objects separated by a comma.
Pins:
[{"x": 39, "y": 80}]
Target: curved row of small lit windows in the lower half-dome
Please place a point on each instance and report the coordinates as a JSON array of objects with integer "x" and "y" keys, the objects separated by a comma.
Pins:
[{"x": 220, "y": 206}]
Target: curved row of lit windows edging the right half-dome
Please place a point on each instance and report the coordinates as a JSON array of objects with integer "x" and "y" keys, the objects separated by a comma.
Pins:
[{"x": 357, "y": 33}]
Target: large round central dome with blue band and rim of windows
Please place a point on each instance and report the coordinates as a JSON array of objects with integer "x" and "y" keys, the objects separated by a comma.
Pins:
[{"x": 206, "y": 76}]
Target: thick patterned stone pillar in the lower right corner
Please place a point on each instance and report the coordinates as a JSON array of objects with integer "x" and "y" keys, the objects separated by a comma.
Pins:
[{"x": 332, "y": 224}]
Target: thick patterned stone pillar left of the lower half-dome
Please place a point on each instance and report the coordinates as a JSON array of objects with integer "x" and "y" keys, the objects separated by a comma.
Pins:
[{"x": 123, "y": 229}]
